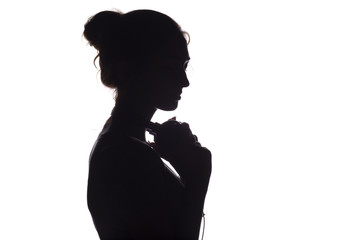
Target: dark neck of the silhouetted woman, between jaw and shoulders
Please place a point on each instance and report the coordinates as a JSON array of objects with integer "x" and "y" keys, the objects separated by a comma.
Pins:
[{"x": 131, "y": 118}]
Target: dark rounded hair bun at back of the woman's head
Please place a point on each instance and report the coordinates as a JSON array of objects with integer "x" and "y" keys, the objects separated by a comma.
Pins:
[{"x": 98, "y": 28}]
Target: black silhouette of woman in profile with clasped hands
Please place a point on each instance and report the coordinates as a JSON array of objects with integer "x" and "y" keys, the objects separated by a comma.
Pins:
[{"x": 131, "y": 193}]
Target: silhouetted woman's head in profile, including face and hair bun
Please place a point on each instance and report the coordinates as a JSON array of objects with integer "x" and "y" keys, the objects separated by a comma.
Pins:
[{"x": 139, "y": 52}]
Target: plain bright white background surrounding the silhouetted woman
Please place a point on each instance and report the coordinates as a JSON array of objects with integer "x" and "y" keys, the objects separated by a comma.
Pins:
[{"x": 274, "y": 95}]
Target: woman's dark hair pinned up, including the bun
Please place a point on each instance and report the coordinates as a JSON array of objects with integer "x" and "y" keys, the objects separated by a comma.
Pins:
[{"x": 130, "y": 37}]
